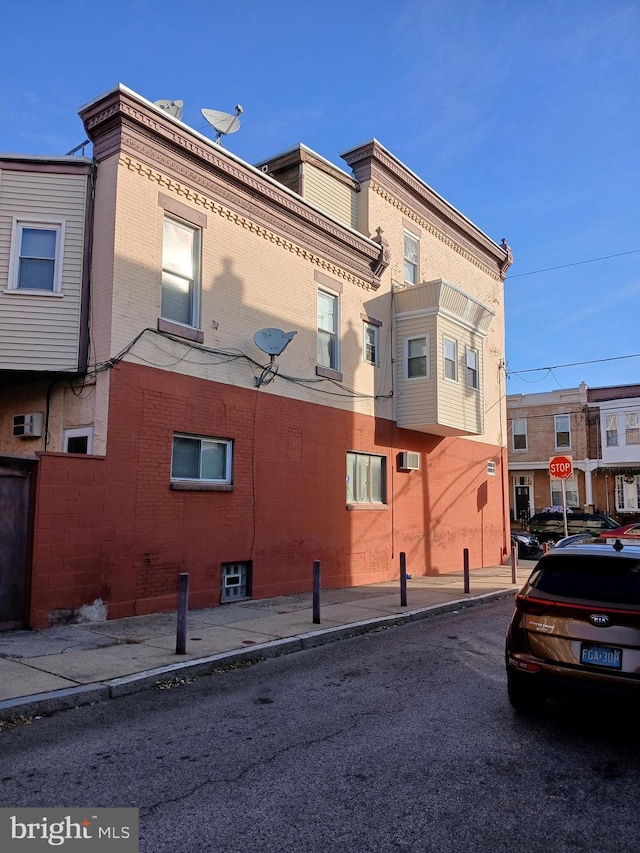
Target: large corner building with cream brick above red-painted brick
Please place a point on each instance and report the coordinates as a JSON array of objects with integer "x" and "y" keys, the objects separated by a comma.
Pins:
[{"x": 190, "y": 445}]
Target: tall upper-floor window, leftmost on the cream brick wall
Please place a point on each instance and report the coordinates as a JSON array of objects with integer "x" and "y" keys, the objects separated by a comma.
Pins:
[{"x": 180, "y": 272}]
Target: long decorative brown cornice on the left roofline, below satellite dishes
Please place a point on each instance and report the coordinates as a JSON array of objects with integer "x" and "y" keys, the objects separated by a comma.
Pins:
[{"x": 179, "y": 160}]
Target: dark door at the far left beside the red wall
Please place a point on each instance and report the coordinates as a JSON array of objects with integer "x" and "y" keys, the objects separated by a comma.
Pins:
[{"x": 15, "y": 514}]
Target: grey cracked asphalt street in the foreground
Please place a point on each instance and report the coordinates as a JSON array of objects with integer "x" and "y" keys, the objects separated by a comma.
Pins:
[{"x": 401, "y": 739}]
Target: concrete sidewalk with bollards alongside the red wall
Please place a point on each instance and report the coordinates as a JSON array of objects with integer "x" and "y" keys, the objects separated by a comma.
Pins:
[{"x": 46, "y": 671}]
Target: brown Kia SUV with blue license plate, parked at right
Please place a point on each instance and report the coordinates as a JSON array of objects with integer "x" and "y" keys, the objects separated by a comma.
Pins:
[{"x": 576, "y": 627}]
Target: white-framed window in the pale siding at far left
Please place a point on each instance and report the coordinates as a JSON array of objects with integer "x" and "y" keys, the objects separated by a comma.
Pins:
[{"x": 36, "y": 256}]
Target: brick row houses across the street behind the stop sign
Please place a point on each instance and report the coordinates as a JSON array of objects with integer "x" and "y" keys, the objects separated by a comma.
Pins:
[{"x": 598, "y": 427}]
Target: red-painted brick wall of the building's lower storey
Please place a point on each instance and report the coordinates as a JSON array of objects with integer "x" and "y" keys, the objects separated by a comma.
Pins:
[{"x": 112, "y": 528}]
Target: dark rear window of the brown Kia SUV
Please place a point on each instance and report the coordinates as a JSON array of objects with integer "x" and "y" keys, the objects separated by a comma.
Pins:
[{"x": 589, "y": 576}]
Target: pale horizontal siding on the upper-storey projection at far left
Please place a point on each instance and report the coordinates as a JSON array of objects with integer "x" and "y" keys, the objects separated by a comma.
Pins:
[{"x": 41, "y": 332}]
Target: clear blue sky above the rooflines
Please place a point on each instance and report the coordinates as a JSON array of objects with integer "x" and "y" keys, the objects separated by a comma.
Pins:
[{"x": 521, "y": 113}]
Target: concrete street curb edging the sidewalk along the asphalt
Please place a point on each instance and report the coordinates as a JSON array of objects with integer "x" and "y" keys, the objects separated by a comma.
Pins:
[{"x": 87, "y": 694}]
